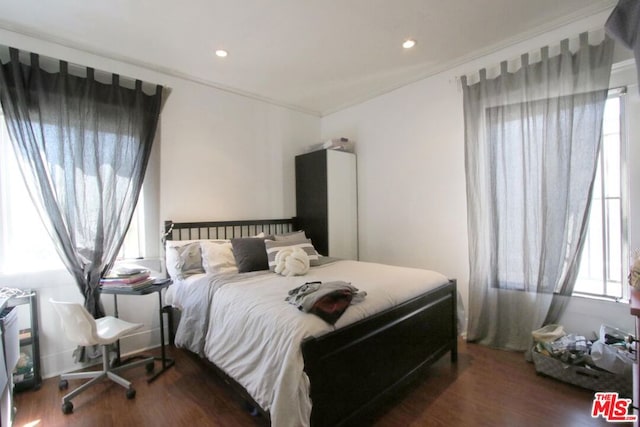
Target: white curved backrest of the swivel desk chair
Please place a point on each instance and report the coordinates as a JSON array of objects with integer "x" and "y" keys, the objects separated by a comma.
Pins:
[{"x": 78, "y": 324}]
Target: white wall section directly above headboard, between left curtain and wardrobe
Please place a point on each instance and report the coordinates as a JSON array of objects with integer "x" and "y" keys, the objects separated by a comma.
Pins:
[{"x": 229, "y": 157}]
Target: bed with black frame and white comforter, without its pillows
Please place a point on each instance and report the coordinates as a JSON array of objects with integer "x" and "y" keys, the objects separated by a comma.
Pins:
[{"x": 326, "y": 374}]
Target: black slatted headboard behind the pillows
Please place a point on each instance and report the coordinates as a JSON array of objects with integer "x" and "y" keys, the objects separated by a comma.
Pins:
[{"x": 225, "y": 229}]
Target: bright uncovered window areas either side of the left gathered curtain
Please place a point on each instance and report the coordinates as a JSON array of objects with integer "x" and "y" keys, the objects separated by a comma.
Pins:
[{"x": 25, "y": 245}]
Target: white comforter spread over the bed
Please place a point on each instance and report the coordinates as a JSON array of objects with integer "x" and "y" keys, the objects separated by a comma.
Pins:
[{"x": 254, "y": 335}]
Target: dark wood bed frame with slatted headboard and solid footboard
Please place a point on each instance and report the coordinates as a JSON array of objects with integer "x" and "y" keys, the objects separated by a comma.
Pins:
[{"x": 354, "y": 369}]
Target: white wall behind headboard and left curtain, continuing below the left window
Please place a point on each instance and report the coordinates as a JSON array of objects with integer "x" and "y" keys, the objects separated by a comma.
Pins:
[{"x": 220, "y": 156}]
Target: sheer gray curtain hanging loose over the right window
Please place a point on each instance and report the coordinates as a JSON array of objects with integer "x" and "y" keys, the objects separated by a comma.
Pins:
[{"x": 531, "y": 142}]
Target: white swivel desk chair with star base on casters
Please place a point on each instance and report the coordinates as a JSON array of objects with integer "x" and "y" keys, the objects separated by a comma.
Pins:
[{"x": 81, "y": 328}]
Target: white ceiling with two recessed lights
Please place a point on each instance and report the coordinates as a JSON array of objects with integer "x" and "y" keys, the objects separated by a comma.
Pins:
[{"x": 316, "y": 56}]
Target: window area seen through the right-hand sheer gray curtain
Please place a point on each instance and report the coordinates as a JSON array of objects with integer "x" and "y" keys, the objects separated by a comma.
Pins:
[{"x": 523, "y": 237}]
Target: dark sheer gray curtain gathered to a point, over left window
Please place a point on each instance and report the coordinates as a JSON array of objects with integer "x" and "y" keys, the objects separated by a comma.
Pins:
[{"x": 83, "y": 147}]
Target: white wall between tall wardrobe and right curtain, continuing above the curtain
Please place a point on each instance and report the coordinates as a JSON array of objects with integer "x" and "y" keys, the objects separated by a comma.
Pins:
[{"x": 411, "y": 176}]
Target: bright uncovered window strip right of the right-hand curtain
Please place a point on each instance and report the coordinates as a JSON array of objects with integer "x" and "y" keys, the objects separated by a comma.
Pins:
[{"x": 604, "y": 262}]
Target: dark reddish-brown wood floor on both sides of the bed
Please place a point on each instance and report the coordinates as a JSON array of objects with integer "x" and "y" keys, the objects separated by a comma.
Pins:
[{"x": 485, "y": 388}]
